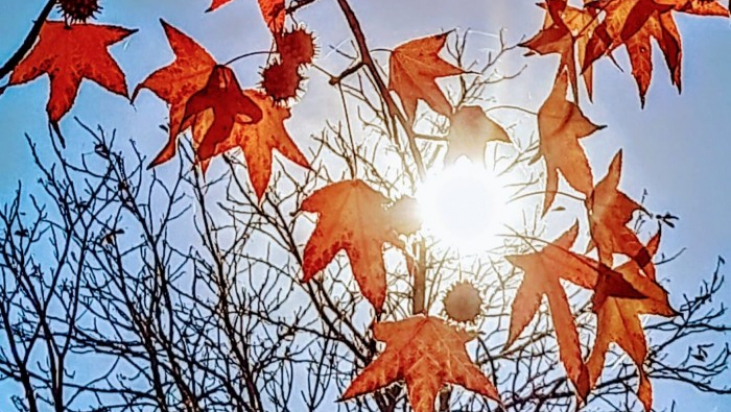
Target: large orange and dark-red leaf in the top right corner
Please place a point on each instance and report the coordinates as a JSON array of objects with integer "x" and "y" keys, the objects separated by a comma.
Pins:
[{"x": 634, "y": 23}]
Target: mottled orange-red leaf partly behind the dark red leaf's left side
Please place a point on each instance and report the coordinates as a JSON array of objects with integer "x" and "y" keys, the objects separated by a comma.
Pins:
[{"x": 177, "y": 82}]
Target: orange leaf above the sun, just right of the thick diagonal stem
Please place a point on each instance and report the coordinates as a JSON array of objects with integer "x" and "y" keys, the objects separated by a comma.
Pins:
[{"x": 414, "y": 68}]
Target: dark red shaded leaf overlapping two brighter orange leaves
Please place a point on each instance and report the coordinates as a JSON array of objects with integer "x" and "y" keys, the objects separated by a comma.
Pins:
[{"x": 222, "y": 95}]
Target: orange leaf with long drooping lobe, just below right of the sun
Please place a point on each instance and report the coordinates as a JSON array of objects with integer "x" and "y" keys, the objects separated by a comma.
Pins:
[{"x": 543, "y": 272}]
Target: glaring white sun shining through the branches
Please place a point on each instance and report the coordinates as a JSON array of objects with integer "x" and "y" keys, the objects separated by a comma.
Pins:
[{"x": 464, "y": 206}]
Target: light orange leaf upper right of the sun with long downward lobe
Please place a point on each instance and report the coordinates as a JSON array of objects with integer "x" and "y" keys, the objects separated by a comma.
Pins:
[{"x": 561, "y": 124}]
